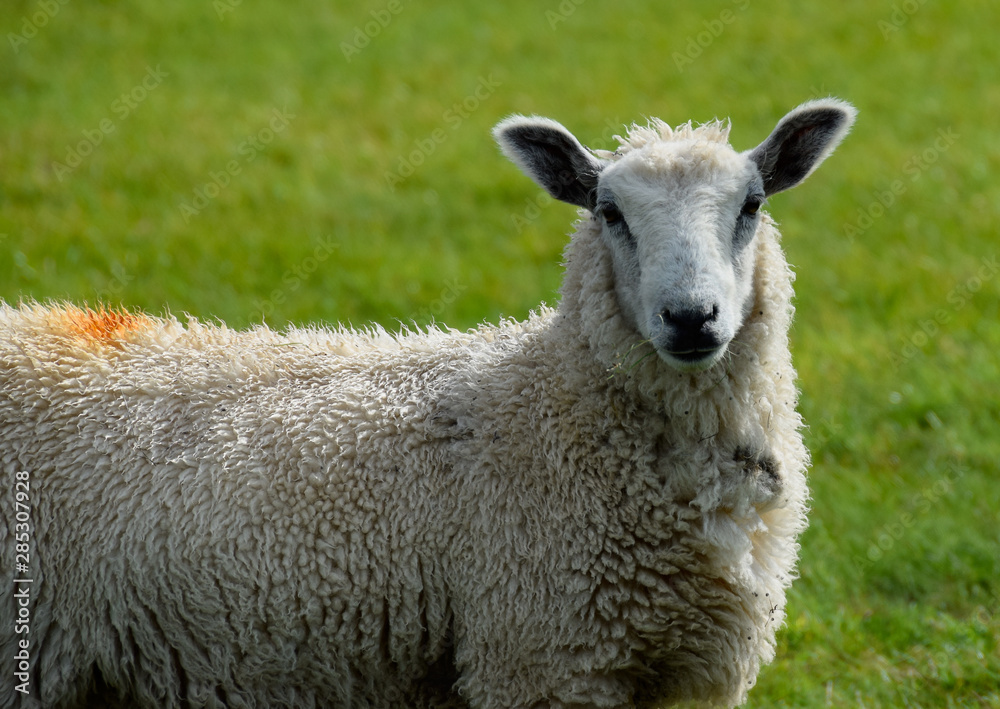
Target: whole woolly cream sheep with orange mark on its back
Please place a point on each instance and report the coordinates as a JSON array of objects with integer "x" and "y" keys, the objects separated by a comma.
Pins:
[{"x": 595, "y": 507}]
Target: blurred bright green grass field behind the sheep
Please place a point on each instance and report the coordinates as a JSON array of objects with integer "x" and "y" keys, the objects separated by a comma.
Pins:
[{"x": 325, "y": 162}]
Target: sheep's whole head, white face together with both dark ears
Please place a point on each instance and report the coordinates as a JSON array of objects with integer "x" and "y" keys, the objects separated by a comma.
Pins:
[{"x": 679, "y": 212}]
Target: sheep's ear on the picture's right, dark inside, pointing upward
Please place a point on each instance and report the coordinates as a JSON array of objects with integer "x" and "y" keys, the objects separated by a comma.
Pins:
[{"x": 801, "y": 141}]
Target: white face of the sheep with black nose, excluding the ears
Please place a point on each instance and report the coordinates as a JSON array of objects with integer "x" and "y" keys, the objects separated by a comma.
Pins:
[{"x": 679, "y": 218}]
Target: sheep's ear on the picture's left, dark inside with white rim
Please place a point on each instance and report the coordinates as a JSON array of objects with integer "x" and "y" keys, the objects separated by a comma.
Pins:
[{"x": 551, "y": 156}]
